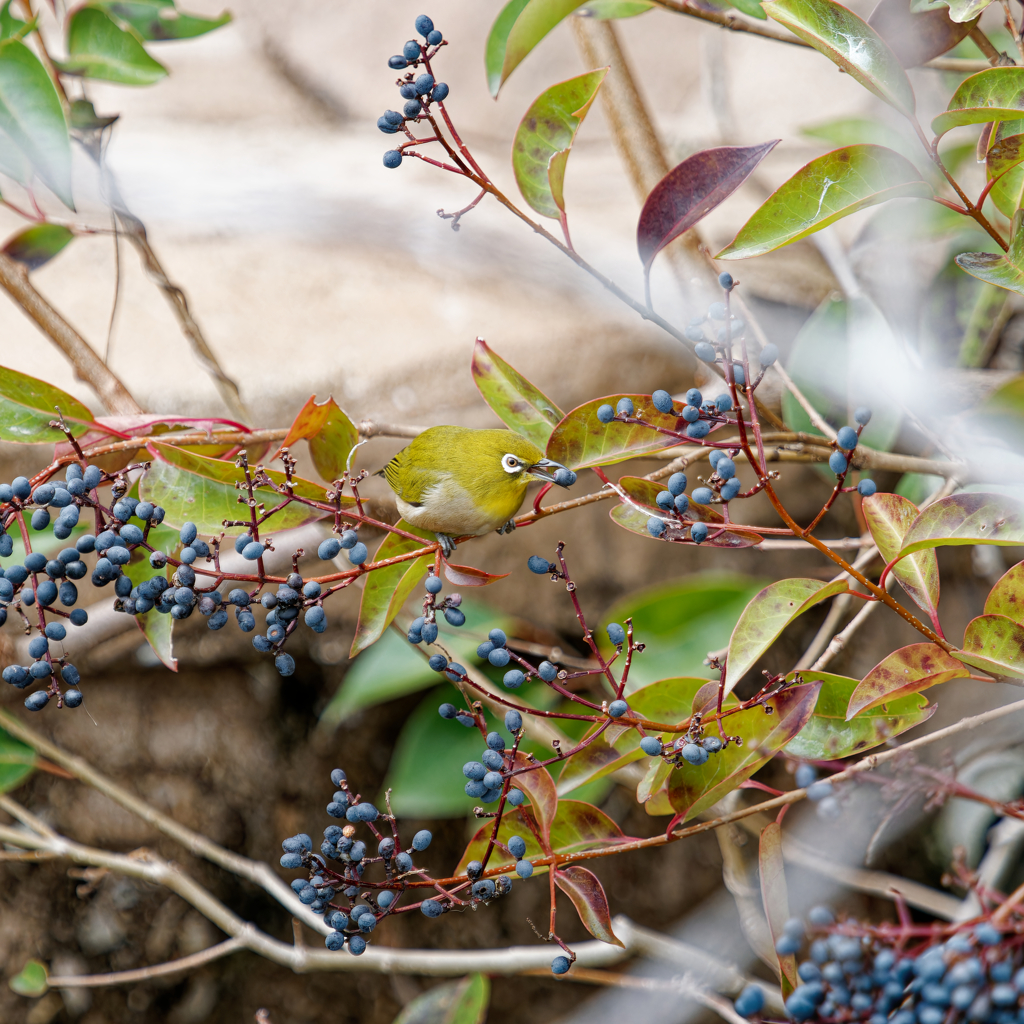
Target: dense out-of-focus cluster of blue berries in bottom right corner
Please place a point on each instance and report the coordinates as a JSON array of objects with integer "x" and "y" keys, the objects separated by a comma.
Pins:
[{"x": 974, "y": 976}]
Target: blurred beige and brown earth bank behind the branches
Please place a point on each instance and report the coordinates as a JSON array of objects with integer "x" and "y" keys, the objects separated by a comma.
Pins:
[{"x": 257, "y": 168}]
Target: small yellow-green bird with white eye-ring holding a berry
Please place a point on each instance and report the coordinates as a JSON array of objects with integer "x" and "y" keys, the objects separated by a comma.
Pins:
[{"x": 456, "y": 482}]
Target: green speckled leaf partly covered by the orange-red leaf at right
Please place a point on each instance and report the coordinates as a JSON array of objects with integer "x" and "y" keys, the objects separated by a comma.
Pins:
[{"x": 829, "y": 737}]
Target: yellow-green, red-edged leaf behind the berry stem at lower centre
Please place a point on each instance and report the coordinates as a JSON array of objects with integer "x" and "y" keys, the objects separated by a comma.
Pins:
[{"x": 576, "y": 827}]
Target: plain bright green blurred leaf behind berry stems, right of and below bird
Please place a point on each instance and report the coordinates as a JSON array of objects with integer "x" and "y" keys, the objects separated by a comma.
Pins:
[{"x": 680, "y": 622}]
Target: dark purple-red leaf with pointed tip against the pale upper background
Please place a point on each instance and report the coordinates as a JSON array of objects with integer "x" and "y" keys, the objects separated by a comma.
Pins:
[{"x": 692, "y": 191}]
